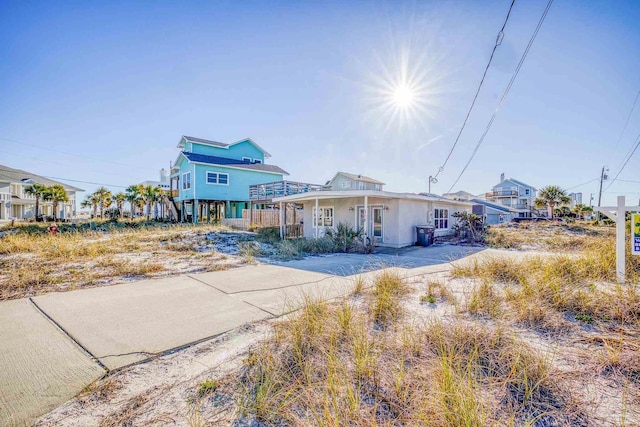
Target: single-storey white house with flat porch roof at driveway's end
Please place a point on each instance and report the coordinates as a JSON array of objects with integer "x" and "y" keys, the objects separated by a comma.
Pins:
[{"x": 390, "y": 219}]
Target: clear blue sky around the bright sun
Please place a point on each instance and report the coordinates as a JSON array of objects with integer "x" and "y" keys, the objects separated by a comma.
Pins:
[{"x": 104, "y": 90}]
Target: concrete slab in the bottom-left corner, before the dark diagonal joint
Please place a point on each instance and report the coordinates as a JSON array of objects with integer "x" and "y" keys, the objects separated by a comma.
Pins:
[{"x": 40, "y": 367}]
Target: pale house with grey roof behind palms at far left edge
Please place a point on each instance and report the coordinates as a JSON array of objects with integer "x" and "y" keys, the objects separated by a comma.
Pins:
[{"x": 15, "y": 203}]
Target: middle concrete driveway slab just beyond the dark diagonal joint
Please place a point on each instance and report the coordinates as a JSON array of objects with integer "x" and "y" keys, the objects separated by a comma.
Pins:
[{"x": 128, "y": 323}]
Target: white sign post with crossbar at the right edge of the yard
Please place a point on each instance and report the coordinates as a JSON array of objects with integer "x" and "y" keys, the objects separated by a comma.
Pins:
[{"x": 617, "y": 214}]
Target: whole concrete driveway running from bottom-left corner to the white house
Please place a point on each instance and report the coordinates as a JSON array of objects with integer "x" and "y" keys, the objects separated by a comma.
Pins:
[{"x": 53, "y": 345}]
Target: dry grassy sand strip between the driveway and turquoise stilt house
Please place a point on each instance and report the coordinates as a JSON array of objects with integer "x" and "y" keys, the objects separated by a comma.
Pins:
[{"x": 35, "y": 262}]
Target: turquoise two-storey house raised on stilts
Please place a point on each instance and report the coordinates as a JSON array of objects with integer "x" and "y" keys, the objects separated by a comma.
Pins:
[{"x": 212, "y": 179}]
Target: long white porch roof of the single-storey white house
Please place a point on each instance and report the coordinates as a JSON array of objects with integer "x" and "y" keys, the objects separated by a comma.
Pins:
[{"x": 337, "y": 194}]
